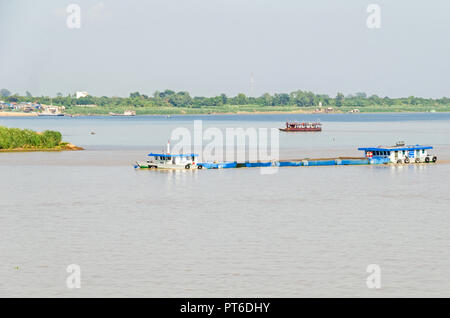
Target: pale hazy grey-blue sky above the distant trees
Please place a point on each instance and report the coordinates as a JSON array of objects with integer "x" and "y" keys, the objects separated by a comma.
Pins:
[{"x": 208, "y": 47}]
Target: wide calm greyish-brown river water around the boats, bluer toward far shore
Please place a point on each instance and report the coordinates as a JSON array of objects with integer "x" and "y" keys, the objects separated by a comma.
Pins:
[{"x": 305, "y": 231}]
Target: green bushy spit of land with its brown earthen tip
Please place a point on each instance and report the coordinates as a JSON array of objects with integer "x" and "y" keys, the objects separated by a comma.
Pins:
[{"x": 16, "y": 139}]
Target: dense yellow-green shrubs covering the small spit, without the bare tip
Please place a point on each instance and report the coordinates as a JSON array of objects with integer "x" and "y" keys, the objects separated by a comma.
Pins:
[{"x": 12, "y": 138}]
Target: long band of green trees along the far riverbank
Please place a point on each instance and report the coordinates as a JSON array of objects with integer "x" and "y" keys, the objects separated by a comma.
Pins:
[{"x": 171, "y": 98}]
